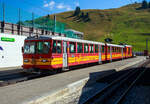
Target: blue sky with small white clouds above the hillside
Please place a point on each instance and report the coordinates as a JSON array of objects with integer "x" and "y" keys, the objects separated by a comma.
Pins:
[{"x": 44, "y": 7}]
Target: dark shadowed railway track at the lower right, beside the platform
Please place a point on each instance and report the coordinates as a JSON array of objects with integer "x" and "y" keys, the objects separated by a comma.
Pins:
[{"x": 116, "y": 90}]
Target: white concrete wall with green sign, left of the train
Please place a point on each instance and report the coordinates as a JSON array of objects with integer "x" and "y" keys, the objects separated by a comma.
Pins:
[{"x": 10, "y": 52}]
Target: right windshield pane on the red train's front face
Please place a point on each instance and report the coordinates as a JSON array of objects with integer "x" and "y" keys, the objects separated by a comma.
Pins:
[{"x": 43, "y": 47}]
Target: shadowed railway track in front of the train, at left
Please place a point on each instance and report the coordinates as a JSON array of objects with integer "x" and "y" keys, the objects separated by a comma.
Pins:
[{"x": 13, "y": 77}]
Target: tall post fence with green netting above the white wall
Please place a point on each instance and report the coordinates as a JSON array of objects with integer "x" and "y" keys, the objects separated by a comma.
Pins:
[{"x": 17, "y": 21}]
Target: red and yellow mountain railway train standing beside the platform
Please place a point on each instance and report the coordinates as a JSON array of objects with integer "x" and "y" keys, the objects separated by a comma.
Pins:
[{"x": 53, "y": 52}]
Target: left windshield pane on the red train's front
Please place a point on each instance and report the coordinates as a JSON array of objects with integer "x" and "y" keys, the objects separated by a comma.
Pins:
[{"x": 29, "y": 48}]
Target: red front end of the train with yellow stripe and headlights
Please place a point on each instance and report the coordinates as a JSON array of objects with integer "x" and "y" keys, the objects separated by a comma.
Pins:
[{"x": 36, "y": 54}]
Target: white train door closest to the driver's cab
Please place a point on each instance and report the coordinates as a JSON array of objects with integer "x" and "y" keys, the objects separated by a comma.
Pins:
[{"x": 65, "y": 59}]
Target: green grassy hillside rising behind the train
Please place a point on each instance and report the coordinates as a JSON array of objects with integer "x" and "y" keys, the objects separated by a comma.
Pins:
[{"x": 126, "y": 24}]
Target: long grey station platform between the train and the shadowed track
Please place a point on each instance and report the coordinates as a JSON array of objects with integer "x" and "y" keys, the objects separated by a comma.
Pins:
[{"x": 39, "y": 91}]
